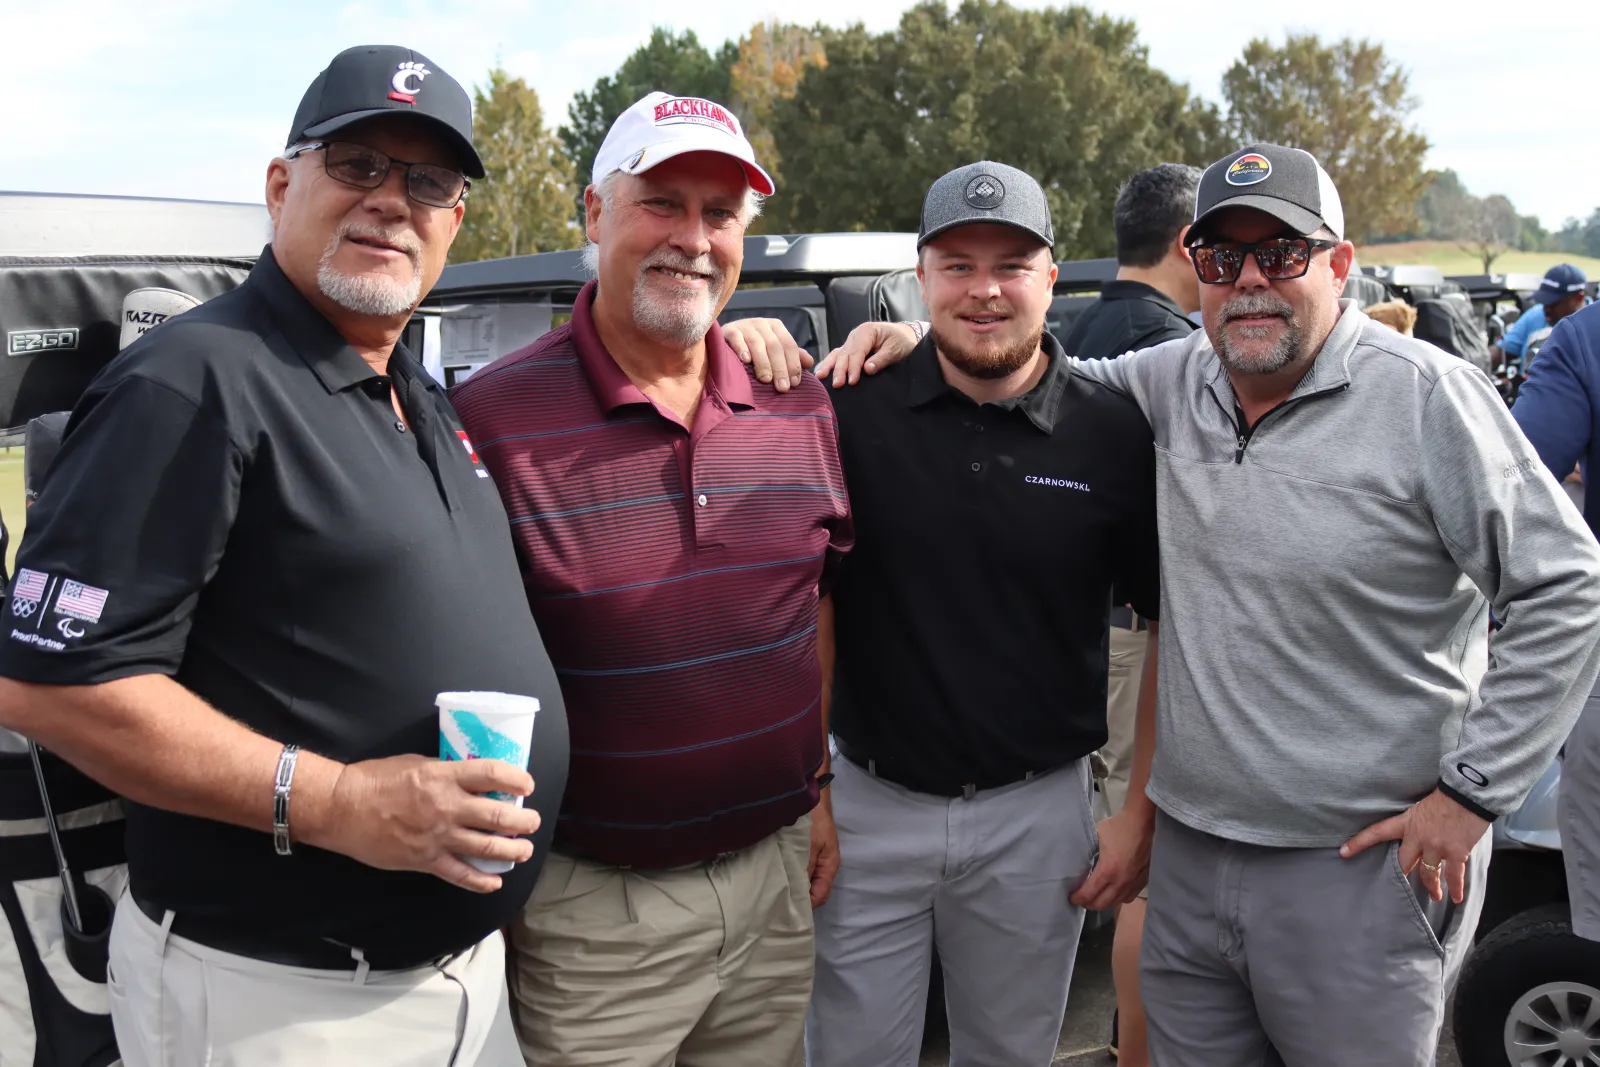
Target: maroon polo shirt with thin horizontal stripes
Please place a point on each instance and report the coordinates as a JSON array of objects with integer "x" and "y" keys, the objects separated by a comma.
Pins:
[{"x": 674, "y": 578}]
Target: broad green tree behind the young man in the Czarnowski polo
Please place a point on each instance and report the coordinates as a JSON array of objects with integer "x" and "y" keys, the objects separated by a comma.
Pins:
[{"x": 1063, "y": 94}]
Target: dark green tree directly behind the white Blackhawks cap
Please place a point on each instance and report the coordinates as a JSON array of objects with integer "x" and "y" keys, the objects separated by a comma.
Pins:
[{"x": 673, "y": 63}]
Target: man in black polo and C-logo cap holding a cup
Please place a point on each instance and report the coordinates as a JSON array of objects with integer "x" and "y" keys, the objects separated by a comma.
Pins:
[{"x": 265, "y": 548}]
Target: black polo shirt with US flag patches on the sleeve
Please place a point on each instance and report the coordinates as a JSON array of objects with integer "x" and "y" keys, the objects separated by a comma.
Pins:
[{"x": 236, "y": 506}]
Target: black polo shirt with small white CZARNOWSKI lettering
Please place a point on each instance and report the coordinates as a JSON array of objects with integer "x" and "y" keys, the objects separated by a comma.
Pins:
[{"x": 972, "y": 615}]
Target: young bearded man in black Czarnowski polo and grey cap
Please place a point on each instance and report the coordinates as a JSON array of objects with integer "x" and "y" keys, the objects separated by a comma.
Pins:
[{"x": 999, "y": 500}]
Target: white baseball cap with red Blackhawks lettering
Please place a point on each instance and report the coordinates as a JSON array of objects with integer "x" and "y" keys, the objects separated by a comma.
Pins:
[{"x": 663, "y": 126}]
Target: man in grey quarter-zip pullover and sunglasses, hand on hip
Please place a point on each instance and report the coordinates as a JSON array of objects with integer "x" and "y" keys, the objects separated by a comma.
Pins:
[{"x": 1340, "y": 510}]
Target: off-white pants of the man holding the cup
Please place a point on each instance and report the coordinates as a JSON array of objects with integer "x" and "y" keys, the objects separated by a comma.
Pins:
[{"x": 177, "y": 1004}]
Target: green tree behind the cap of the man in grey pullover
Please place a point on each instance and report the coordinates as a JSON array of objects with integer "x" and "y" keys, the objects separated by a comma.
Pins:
[{"x": 1346, "y": 105}]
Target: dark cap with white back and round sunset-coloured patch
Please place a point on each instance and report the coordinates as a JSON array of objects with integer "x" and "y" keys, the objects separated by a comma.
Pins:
[{"x": 1286, "y": 183}]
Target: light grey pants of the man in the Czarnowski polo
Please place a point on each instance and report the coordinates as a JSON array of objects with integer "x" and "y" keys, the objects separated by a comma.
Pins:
[{"x": 986, "y": 881}]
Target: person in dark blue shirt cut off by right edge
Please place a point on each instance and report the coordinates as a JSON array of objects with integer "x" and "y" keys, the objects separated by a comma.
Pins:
[{"x": 1559, "y": 410}]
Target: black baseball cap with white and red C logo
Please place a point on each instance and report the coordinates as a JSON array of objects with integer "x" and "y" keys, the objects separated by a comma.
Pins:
[{"x": 388, "y": 81}]
